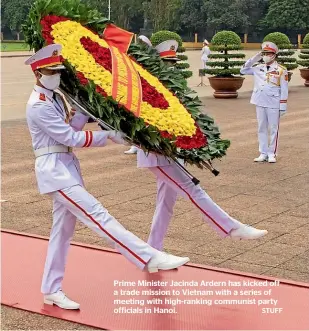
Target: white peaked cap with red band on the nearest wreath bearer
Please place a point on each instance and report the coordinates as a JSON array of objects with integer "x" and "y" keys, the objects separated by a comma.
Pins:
[{"x": 47, "y": 57}]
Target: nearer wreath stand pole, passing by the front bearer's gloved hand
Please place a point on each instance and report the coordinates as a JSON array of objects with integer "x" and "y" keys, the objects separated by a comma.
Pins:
[{"x": 128, "y": 139}]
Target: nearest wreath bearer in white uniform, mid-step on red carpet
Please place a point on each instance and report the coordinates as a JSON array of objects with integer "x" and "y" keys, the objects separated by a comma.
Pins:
[{"x": 54, "y": 133}]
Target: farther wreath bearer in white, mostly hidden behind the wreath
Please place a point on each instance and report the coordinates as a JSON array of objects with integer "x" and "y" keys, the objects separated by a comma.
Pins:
[{"x": 173, "y": 182}]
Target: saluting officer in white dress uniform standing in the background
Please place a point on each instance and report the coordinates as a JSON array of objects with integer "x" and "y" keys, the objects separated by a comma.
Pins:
[{"x": 270, "y": 96}]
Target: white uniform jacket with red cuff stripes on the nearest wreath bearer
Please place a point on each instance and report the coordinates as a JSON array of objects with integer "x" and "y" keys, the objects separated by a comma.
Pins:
[{"x": 49, "y": 125}]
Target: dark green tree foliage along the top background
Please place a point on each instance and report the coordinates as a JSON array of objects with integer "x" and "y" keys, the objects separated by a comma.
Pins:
[{"x": 186, "y": 17}]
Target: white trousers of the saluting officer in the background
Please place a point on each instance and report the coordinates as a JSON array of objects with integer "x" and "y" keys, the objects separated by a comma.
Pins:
[{"x": 268, "y": 121}]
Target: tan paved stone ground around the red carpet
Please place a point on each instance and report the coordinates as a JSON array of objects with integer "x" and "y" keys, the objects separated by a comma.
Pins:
[{"x": 271, "y": 196}]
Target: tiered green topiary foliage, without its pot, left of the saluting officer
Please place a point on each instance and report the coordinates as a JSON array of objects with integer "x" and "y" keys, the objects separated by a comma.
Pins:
[{"x": 225, "y": 63}]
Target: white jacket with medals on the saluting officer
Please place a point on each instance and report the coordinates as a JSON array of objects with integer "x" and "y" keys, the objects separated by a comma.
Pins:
[{"x": 270, "y": 84}]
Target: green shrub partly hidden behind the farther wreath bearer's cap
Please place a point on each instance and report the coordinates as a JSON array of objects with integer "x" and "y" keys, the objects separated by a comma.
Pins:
[{"x": 161, "y": 36}]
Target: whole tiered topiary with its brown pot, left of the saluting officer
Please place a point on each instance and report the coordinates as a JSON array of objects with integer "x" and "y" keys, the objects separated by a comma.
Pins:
[{"x": 222, "y": 67}]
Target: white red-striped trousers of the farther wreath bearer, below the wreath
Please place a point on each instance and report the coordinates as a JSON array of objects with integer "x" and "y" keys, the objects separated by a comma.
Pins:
[{"x": 172, "y": 181}]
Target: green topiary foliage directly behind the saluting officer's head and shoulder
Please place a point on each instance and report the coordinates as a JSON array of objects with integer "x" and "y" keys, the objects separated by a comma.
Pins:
[{"x": 285, "y": 55}]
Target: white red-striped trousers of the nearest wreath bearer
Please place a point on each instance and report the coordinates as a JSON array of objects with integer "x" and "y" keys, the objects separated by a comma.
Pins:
[{"x": 76, "y": 203}]
